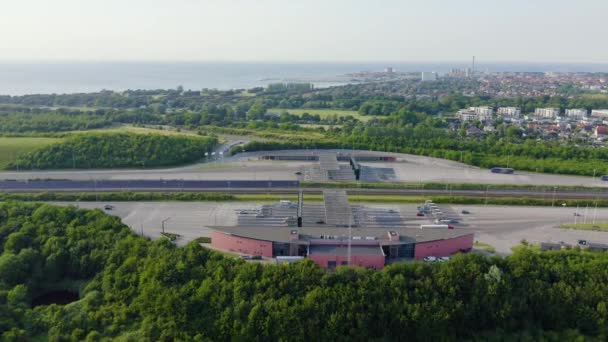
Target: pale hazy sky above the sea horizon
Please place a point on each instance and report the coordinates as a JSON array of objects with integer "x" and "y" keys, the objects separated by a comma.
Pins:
[{"x": 305, "y": 30}]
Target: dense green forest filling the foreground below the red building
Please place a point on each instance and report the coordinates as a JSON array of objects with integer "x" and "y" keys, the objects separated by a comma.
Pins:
[{"x": 132, "y": 289}]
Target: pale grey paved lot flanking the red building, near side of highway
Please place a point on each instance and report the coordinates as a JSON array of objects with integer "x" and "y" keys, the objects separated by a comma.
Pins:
[{"x": 499, "y": 226}]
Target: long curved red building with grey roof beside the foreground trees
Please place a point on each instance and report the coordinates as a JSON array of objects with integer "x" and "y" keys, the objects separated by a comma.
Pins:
[{"x": 330, "y": 247}]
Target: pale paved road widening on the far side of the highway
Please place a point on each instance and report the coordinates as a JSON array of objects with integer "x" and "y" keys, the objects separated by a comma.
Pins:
[{"x": 246, "y": 166}]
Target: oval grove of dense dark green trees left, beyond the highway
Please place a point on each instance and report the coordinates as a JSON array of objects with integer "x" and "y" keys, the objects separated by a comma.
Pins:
[{"x": 115, "y": 150}]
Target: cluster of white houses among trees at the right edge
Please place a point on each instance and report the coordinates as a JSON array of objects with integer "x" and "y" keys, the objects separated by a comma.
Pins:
[{"x": 549, "y": 123}]
